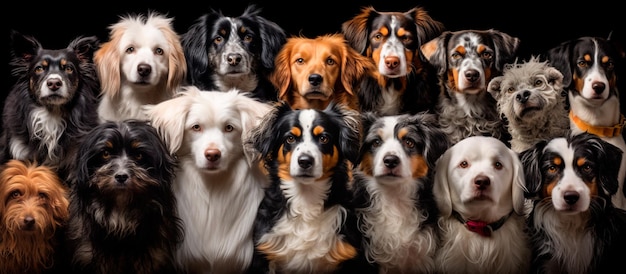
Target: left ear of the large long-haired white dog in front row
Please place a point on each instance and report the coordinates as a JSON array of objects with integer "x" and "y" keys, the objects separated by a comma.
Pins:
[{"x": 168, "y": 117}]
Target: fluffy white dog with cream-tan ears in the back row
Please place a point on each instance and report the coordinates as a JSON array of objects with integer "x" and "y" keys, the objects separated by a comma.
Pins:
[{"x": 142, "y": 63}]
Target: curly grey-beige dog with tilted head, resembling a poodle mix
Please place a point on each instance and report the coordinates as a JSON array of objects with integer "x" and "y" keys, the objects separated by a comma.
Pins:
[{"x": 531, "y": 97}]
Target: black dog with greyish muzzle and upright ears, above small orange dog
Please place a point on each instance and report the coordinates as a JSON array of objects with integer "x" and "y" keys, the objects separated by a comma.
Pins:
[{"x": 52, "y": 103}]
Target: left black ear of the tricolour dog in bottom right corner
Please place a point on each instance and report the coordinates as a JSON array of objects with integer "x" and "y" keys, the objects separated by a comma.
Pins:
[{"x": 531, "y": 160}]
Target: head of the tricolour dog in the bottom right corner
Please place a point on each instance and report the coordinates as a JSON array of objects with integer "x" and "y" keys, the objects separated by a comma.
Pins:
[{"x": 573, "y": 172}]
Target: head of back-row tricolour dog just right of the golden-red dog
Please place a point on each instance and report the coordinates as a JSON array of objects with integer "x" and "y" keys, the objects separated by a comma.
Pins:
[{"x": 392, "y": 39}]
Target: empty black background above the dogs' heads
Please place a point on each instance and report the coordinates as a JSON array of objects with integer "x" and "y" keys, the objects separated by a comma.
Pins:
[{"x": 539, "y": 24}]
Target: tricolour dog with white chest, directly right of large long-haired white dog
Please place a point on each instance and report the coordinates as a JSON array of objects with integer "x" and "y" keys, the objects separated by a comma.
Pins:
[{"x": 301, "y": 223}]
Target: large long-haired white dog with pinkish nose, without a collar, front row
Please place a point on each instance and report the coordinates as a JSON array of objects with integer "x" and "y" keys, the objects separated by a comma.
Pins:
[{"x": 218, "y": 189}]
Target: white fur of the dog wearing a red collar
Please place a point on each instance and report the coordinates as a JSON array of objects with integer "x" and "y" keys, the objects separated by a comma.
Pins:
[{"x": 507, "y": 250}]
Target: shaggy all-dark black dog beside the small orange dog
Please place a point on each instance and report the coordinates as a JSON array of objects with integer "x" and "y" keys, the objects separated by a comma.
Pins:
[{"x": 122, "y": 210}]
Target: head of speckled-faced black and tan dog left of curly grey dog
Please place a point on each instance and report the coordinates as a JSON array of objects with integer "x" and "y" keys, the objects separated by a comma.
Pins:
[{"x": 468, "y": 59}]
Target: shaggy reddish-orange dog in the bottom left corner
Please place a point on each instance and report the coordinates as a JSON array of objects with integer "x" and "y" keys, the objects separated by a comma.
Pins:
[{"x": 33, "y": 208}]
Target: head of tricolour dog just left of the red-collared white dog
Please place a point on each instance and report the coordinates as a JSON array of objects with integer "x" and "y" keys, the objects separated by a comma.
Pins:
[{"x": 400, "y": 147}]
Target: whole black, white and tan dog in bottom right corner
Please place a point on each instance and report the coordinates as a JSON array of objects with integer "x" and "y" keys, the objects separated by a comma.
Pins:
[{"x": 574, "y": 226}]
